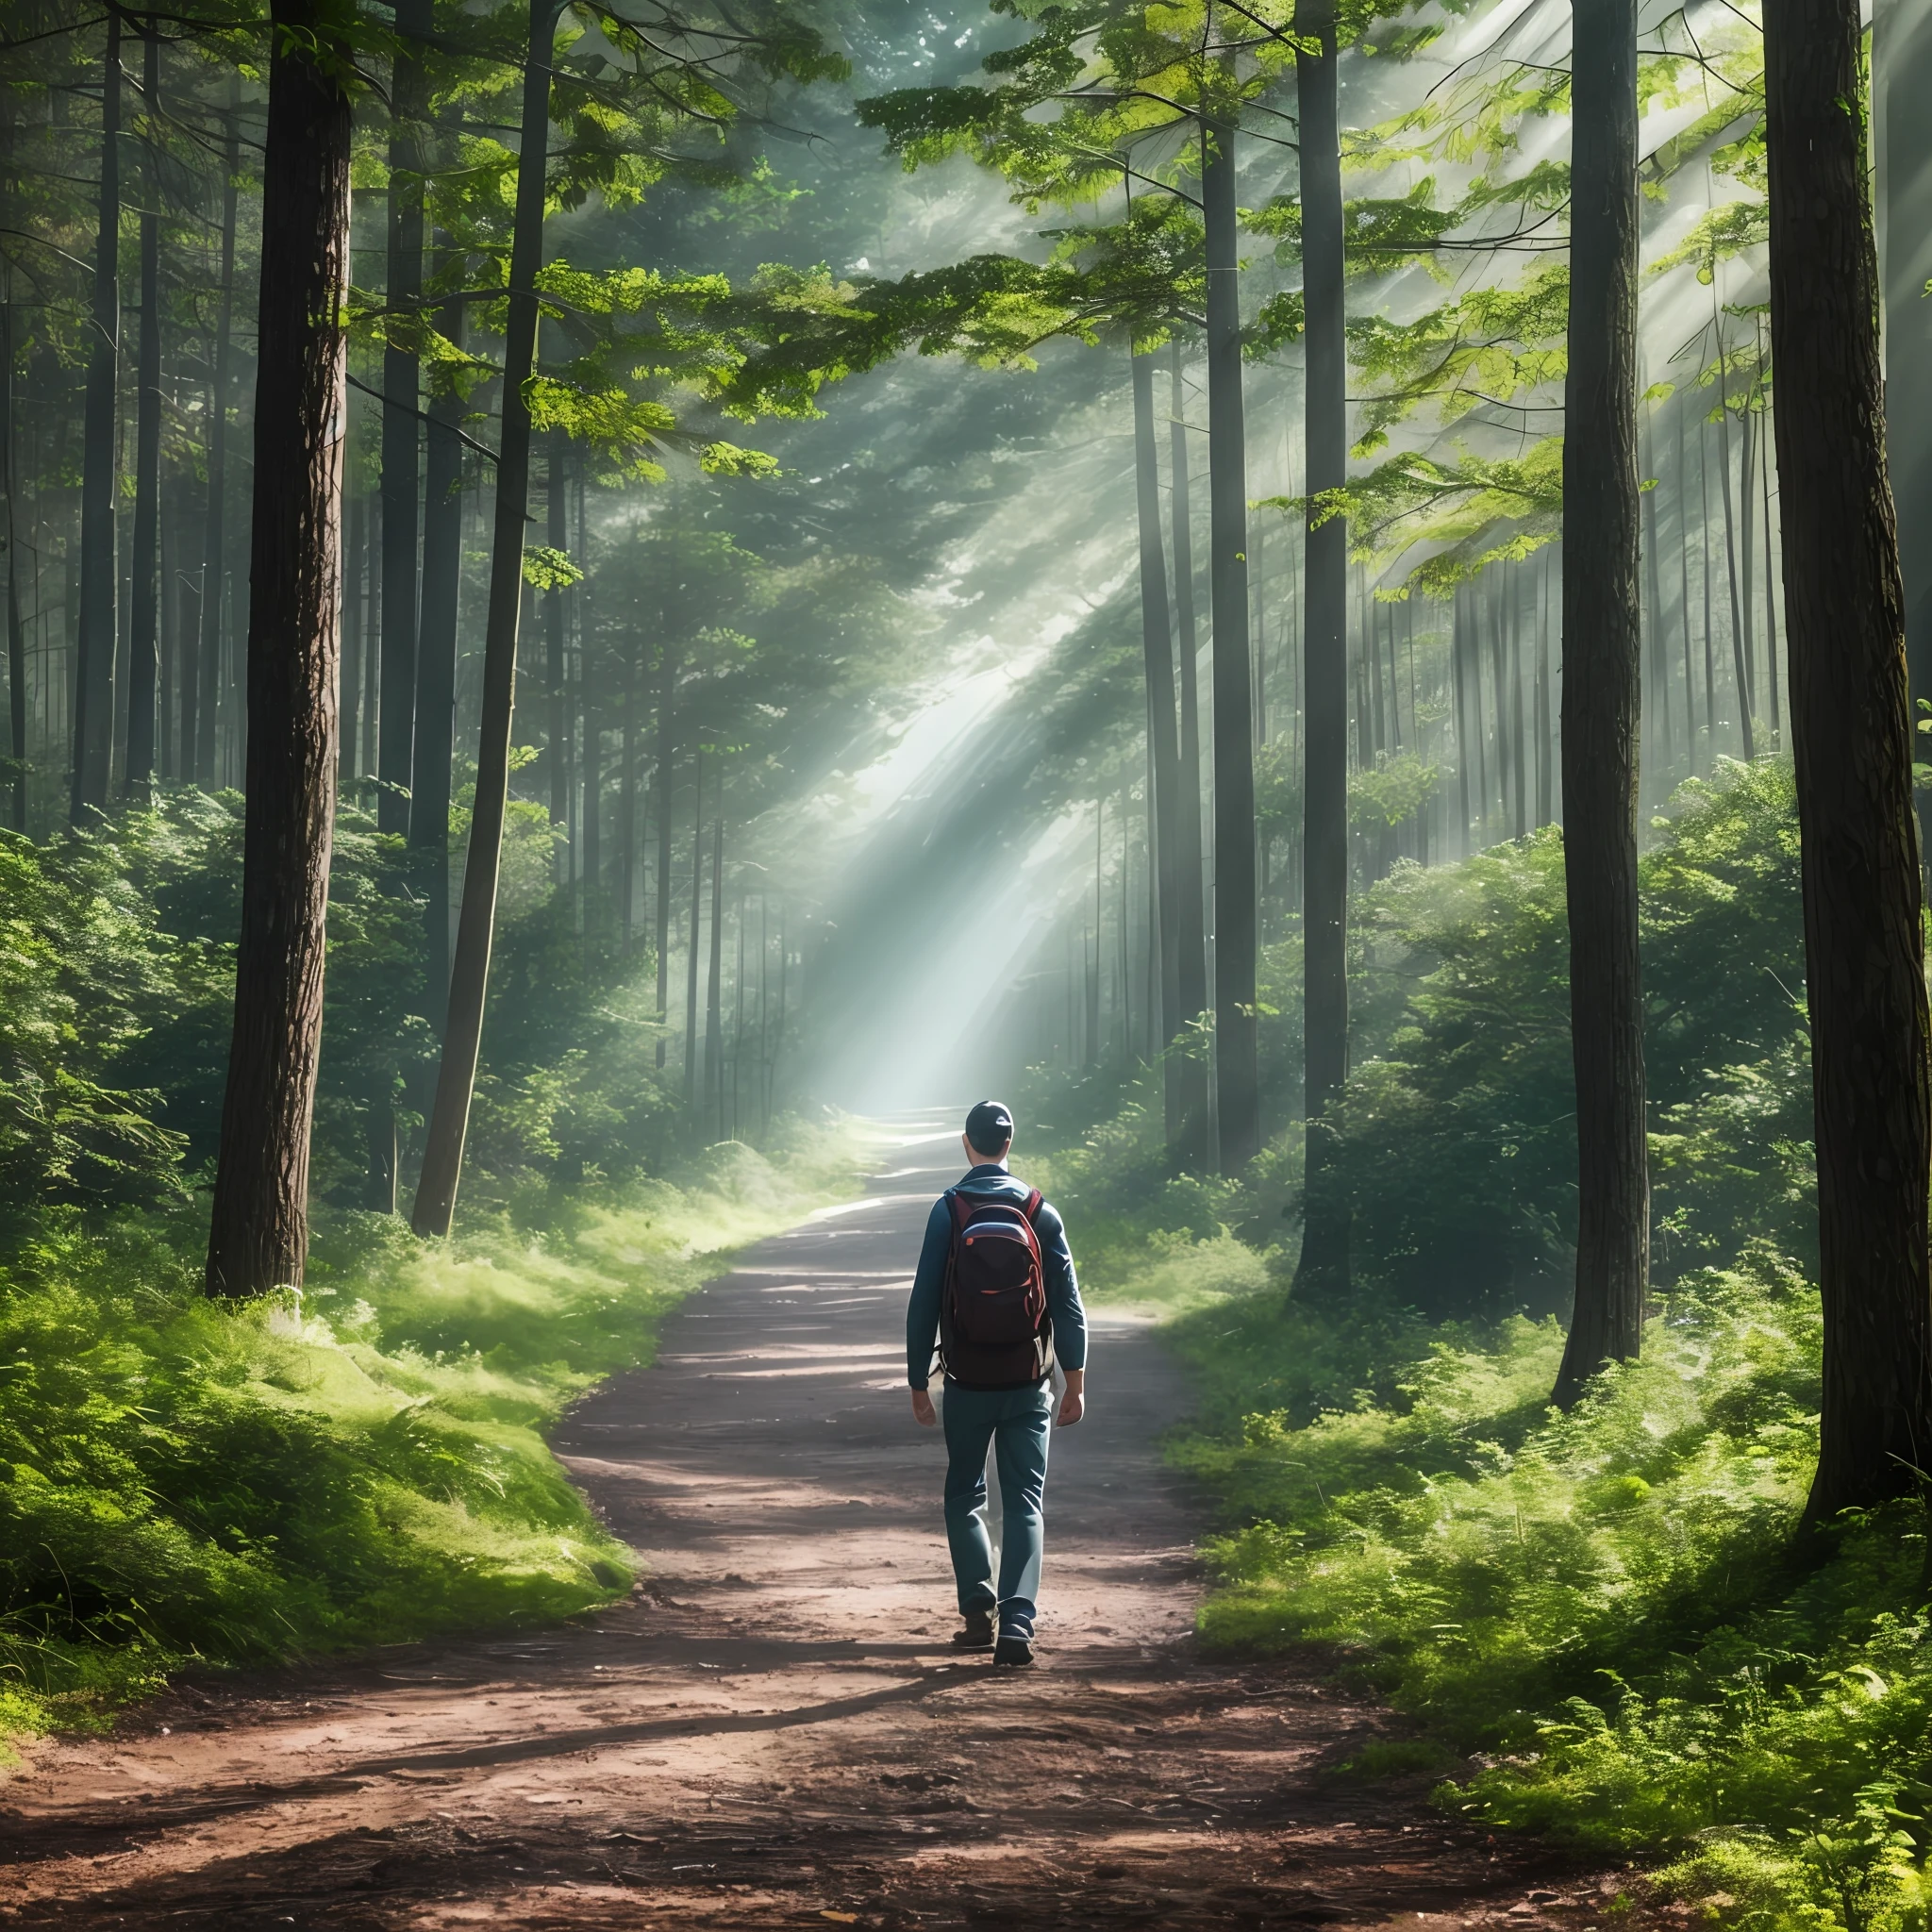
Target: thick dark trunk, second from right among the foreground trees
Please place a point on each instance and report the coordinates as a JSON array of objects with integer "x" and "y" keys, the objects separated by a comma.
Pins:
[{"x": 1603, "y": 700}]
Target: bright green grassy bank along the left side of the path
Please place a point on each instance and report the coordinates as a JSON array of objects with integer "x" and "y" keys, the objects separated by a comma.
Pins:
[{"x": 200, "y": 1483}]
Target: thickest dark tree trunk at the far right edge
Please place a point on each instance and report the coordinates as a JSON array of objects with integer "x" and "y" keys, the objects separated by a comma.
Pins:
[{"x": 1852, "y": 731}]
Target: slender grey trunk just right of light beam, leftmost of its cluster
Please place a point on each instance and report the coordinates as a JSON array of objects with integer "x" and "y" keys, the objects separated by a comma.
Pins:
[{"x": 1164, "y": 749}]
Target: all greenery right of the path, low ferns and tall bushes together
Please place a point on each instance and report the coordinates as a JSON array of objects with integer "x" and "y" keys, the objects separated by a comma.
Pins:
[{"x": 1605, "y": 1614}]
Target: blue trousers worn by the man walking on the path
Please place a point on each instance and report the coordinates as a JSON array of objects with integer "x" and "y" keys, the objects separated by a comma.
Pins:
[{"x": 1015, "y": 1423}]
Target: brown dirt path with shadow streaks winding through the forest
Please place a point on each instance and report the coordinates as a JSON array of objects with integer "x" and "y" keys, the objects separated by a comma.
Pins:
[{"x": 774, "y": 1730}]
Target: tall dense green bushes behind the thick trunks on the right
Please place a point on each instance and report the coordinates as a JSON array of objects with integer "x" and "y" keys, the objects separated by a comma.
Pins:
[{"x": 1456, "y": 1135}]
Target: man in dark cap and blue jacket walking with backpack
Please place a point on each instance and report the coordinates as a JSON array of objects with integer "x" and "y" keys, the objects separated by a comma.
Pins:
[{"x": 996, "y": 1295}]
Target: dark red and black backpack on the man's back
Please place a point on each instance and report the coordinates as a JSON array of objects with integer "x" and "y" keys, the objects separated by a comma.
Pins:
[{"x": 994, "y": 1313}]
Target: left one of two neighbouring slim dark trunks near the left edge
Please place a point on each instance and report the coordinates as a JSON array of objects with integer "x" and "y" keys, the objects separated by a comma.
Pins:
[{"x": 94, "y": 673}]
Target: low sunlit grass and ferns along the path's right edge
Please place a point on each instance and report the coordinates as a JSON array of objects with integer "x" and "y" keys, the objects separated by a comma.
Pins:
[{"x": 1599, "y": 1606}]
